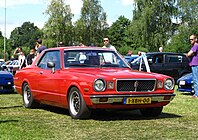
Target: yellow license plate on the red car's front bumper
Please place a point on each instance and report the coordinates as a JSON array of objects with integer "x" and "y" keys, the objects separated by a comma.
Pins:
[{"x": 137, "y": 100}]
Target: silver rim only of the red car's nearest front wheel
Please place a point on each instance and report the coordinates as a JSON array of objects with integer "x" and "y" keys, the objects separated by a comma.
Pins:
[{"x": 74, "y": 103}]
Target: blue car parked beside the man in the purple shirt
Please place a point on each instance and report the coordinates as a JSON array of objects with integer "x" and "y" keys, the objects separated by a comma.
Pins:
[{"x": 185, "y": 83}]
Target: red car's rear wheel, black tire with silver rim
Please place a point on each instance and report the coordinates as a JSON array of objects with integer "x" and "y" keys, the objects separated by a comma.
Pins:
[{"x": 28, "y": 99}]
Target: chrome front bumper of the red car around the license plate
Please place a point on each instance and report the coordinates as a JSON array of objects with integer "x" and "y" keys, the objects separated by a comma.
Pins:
[{"x": 110, "y": 99}]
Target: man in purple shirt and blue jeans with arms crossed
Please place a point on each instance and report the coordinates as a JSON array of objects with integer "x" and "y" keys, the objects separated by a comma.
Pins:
[{"x": 193, "y": 55}]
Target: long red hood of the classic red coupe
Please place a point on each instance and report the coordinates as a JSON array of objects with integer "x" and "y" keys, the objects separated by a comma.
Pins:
[{"x": 116, "y": 73}]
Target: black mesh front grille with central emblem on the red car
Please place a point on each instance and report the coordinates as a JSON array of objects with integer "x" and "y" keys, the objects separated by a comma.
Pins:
[{"x": 133, "y": 85}]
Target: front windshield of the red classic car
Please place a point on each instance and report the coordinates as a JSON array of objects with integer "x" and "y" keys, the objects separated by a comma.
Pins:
[{"x": 93, "y": 58}]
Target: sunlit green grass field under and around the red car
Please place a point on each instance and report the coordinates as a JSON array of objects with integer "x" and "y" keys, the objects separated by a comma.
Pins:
[{"x": 179, "y": 120}]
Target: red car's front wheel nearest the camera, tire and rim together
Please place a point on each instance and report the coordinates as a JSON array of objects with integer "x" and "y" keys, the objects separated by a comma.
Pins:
[{"x": 77, "y": 106}]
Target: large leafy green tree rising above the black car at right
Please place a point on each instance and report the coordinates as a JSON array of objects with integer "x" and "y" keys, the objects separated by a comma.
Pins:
[{"x": 152, "y": 25}]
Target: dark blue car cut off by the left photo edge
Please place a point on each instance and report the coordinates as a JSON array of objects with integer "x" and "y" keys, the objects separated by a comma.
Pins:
[{"x": 6, "y": 82}]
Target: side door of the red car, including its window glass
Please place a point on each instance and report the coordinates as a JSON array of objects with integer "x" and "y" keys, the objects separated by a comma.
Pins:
[{"x": 49, "y": 81}]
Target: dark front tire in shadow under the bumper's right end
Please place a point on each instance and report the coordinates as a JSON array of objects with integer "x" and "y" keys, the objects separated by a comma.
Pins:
[{"x": 151, "y": 112}]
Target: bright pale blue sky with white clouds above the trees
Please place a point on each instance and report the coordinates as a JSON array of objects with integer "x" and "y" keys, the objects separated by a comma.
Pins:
[{"x": 16, "y": 12}]
